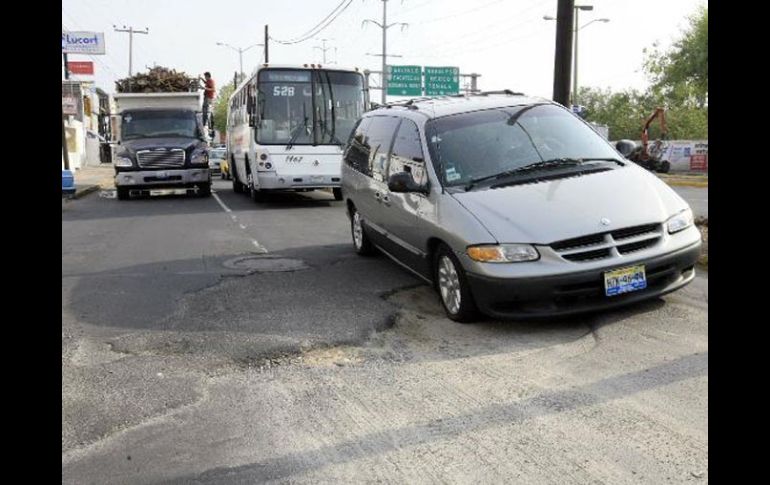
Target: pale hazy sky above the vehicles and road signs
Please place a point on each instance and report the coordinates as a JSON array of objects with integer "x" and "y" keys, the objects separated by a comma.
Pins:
[{"x": 506, "y": 41}]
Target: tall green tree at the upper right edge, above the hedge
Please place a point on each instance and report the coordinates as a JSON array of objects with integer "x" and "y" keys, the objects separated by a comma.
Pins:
[{"x": 680, "y": 74}]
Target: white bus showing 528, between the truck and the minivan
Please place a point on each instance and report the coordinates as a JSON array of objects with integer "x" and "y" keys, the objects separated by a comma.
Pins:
[{"x": 287, "y": 127}]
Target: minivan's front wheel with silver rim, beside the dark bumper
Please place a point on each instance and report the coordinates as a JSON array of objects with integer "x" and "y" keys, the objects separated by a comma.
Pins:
[{"x": 454, "y": 291}]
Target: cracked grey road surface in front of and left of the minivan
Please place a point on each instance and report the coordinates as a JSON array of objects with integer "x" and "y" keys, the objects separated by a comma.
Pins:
[{"x": 246, "y": 343}]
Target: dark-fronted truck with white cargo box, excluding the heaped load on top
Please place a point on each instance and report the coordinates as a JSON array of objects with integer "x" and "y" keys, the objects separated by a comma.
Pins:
[{"x": 162, "y": 145}]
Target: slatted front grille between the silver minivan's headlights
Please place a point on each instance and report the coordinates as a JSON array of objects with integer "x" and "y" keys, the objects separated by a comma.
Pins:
[{"x": 609, "y": 244}]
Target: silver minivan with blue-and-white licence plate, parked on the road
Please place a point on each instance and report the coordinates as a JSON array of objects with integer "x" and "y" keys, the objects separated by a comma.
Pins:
[{"x": 513, "y": 206}]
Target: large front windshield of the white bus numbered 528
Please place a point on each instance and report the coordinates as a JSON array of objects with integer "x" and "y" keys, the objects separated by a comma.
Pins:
[{"x": 305, "y": 107}]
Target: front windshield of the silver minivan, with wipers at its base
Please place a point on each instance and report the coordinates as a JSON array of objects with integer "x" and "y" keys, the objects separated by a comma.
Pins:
[{"x": 475, "y": 146}]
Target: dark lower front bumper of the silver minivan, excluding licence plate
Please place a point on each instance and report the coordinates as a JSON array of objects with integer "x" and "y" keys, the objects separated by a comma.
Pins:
[{"x": 578, "y": 292}]
